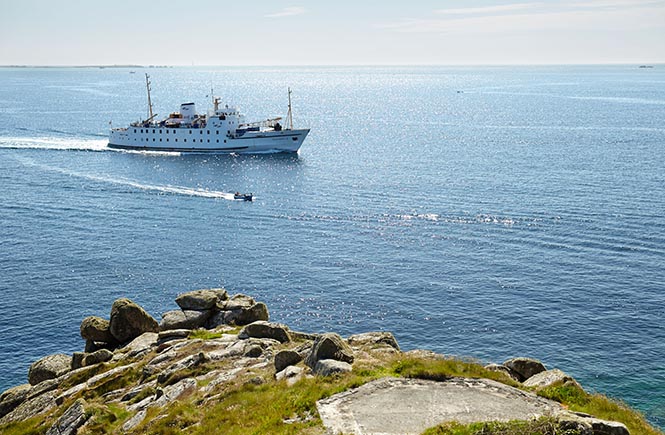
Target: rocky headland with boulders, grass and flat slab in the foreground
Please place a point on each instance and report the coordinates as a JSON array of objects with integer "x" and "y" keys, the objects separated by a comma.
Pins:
[{"x": 218, "y": 365}]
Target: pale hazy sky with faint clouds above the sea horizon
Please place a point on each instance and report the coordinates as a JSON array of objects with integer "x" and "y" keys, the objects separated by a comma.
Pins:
[{"x": 340, "y": 32}]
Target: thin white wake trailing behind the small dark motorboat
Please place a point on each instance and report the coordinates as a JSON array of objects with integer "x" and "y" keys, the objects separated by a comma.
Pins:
[{"x": 159, "y": 189}]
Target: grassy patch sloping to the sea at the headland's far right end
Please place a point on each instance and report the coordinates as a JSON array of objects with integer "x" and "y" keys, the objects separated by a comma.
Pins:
[{"x": 576, "y": 399}]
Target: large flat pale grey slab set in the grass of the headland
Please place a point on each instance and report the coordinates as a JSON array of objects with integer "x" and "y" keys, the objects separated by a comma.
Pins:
[{"x": 409, "y": 406}]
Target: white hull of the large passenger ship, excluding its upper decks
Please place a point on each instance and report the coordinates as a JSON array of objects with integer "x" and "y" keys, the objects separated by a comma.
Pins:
[{"x": 201, "y": 140}]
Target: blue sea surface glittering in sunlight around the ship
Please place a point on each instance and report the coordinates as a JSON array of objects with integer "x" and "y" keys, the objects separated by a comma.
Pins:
[{"x": 489, "y": 212}]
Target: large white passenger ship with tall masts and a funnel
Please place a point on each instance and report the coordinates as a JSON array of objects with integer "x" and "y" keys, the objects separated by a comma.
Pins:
[{"x": 221, "y": 130}]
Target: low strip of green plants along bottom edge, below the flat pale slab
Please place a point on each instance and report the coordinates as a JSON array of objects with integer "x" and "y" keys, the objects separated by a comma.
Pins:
[{"x": 541, "y": 426}]
